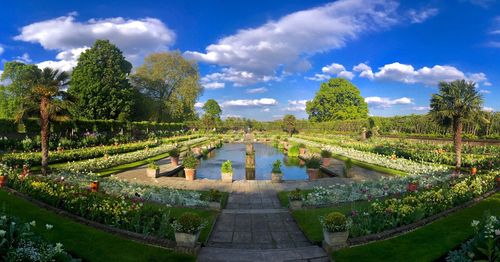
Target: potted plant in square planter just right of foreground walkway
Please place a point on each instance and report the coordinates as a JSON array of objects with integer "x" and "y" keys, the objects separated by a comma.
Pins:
[{"x": 335, "y": 229}]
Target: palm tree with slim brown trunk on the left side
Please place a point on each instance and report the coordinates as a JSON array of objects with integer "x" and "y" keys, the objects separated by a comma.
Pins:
[{"x": 47, "y": 100}]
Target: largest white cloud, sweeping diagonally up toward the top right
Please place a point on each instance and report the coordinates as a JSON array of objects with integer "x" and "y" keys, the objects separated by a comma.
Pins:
[{"x": 285, "y": 43}]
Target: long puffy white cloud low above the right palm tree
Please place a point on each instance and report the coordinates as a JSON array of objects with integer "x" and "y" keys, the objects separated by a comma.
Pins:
[{"x": 426, "y": 75}]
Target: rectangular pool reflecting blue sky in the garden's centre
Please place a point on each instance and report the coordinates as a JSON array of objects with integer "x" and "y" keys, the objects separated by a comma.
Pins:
[{"x": 265, "y": 155}]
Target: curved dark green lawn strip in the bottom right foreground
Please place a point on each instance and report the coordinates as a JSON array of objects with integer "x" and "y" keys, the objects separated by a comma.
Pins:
[{"x": 427, "y": 243}]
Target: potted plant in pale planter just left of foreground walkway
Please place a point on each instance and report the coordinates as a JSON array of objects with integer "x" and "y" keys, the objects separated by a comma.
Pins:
[{"x": 187, "y": 229}]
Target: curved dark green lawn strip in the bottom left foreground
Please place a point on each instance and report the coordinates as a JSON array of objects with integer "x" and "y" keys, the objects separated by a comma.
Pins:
[{"x": 83, "y": 241}]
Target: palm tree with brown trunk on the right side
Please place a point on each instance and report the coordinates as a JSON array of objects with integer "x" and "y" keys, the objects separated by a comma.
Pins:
[{"x": 456, "y": 102}]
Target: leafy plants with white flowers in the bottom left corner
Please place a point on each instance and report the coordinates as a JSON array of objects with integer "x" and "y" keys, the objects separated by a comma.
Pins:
[{"x": 18, "y": 242}]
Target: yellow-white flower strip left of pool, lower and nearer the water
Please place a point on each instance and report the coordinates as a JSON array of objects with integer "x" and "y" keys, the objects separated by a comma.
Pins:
[{"x": 96, "y": 164}]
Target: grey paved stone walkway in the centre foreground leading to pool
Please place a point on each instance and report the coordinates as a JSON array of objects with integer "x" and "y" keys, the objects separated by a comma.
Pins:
[{"x": 254, "y": 227}]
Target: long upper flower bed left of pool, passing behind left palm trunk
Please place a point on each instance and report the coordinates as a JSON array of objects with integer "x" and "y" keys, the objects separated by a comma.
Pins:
[{"x": 34, "y": 158}]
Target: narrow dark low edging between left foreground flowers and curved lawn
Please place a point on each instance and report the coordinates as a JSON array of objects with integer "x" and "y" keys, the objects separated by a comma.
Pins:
[{"x": 148, "y": 240}]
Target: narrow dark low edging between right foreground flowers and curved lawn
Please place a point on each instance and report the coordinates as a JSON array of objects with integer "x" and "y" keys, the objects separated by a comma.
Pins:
[{"x": 414, "y": 226}]
